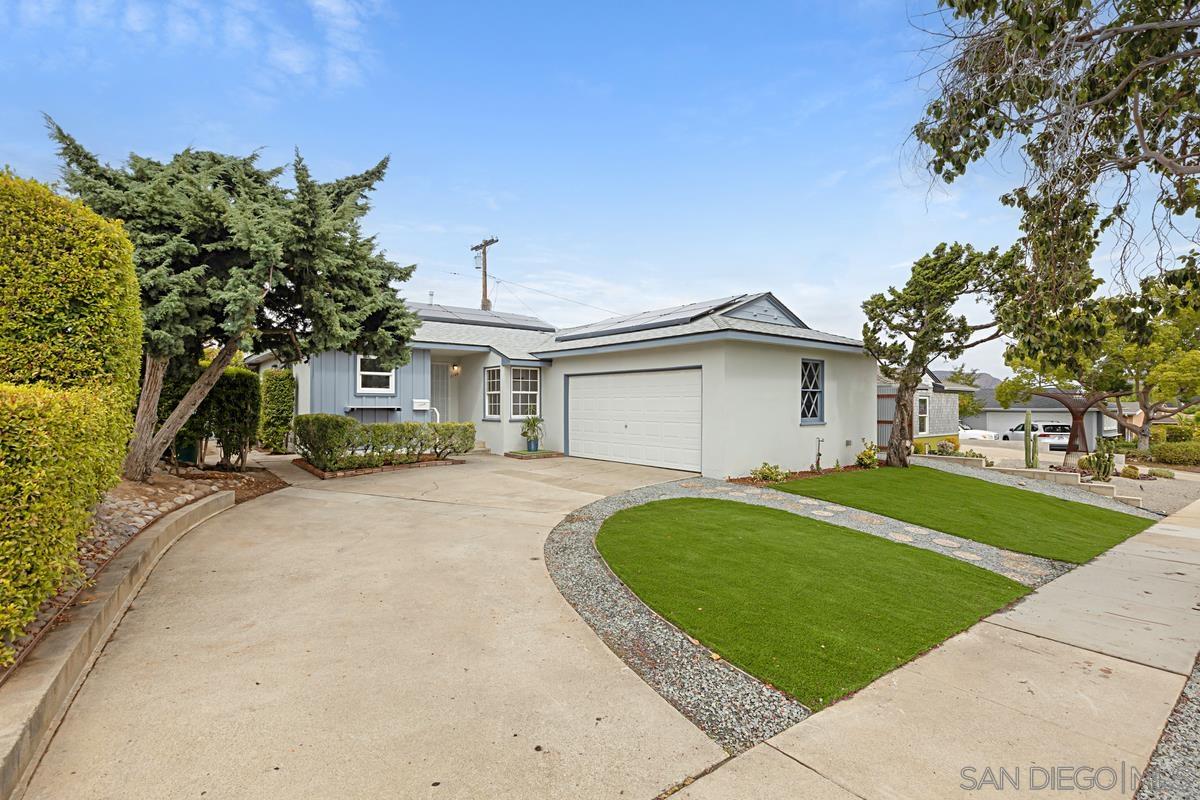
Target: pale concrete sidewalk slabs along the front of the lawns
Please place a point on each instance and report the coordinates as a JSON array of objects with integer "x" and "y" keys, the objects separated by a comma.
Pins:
[{"x": 1075, "y": 684}]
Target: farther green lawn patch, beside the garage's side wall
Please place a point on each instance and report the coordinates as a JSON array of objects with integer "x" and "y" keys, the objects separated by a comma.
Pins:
[{"x": 1003, "y": 516}]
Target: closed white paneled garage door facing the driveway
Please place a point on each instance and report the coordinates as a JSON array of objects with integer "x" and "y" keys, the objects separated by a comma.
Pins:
[{"x": 640, "y": 418}]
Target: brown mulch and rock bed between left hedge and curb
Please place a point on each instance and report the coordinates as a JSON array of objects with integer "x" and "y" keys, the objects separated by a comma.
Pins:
[{"x": 127, "y": 510}]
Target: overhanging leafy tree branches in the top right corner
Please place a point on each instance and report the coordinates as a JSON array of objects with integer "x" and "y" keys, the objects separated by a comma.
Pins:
[{"x": 1100, "y": 101}]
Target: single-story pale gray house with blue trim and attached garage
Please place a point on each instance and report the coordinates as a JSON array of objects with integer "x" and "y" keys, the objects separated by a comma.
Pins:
[{"x": 716, "y": 388}]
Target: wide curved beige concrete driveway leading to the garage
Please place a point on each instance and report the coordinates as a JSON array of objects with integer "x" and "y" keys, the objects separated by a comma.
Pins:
[{"x": 388, "y": 636}]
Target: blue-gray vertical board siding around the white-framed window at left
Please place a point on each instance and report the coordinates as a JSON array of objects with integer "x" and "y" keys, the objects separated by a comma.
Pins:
[{"x": 334, "y": 389}]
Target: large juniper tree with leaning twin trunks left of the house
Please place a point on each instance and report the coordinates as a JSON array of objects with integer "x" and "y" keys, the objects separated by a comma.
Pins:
[{"x": 229, "y": 258}]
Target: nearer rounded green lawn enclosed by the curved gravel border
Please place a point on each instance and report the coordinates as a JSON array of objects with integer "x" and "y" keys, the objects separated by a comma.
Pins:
[{"x": 815, "y": 610}]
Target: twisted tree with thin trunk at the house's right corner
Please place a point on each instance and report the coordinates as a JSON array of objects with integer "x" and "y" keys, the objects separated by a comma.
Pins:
[{"x": 910, "y": 328}]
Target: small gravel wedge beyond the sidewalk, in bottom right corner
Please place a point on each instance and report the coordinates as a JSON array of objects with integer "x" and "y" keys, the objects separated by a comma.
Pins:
[{"x": 1174, "y": 771}]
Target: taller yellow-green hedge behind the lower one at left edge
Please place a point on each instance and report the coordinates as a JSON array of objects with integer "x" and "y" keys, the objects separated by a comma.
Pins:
[{"x": 70, "y": 296}]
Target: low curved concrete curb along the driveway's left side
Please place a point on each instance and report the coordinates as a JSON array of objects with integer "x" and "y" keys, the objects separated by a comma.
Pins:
[{"x": 34, "y": 699}]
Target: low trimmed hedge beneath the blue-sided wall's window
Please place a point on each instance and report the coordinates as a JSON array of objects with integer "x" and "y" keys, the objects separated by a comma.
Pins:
[{"x": 331, "y": 442}]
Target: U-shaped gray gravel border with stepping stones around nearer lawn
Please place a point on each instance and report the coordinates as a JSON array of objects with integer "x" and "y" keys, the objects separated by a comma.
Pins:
[{"x": 734, "y": 708}]
